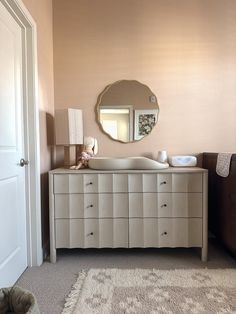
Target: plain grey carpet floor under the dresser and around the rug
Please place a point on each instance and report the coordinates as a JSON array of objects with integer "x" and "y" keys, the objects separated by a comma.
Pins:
[{"x": 51, "y": 283}]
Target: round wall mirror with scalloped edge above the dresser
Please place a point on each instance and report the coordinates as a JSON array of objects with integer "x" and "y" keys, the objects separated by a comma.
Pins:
[{"x": 127, "y": 111}]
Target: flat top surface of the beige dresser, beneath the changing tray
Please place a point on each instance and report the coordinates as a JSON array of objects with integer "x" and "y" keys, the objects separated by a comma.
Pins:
[{"x": 168, "y": 170}]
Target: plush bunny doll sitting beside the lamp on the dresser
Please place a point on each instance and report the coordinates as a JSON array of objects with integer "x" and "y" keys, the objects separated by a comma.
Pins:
[{"x": 90, "y": 149}]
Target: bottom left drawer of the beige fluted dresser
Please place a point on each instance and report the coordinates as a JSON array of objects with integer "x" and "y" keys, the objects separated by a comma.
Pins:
[{"x": 86, "y": 233}]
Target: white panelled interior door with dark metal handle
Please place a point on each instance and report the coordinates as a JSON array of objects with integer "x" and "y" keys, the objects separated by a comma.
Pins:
[{"x": 13, "y": 241}]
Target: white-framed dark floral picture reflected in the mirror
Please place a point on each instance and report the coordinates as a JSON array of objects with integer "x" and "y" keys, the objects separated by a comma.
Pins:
[{"x": 144, "y": 121}]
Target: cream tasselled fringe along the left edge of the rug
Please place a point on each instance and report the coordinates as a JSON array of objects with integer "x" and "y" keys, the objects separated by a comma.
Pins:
[{"x": 72, "y": 297}]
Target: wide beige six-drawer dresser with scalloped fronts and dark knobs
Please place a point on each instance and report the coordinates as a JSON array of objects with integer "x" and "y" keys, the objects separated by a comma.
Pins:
[{"x": 128, "y": 208}]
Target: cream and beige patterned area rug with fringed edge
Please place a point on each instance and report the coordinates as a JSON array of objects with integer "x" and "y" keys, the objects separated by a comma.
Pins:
[{"x": 143, "y": 291}]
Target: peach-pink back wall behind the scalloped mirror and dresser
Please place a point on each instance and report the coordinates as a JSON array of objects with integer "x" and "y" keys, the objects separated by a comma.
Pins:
[{"x": 183, "y": 50}]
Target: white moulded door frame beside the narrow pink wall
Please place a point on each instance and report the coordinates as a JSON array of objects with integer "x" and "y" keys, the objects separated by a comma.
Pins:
[{"x": 31, "y": 122}]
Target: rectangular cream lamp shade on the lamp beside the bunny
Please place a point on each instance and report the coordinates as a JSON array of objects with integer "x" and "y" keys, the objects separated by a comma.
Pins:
[{"x": 69, "y": 126}]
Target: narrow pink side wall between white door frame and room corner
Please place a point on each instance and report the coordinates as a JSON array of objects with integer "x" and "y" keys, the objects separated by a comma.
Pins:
[{"x": 41, "y": 11}]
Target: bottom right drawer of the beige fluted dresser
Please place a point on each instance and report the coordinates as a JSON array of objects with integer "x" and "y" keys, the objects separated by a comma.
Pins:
[{"x": 165, "y": 232}]
